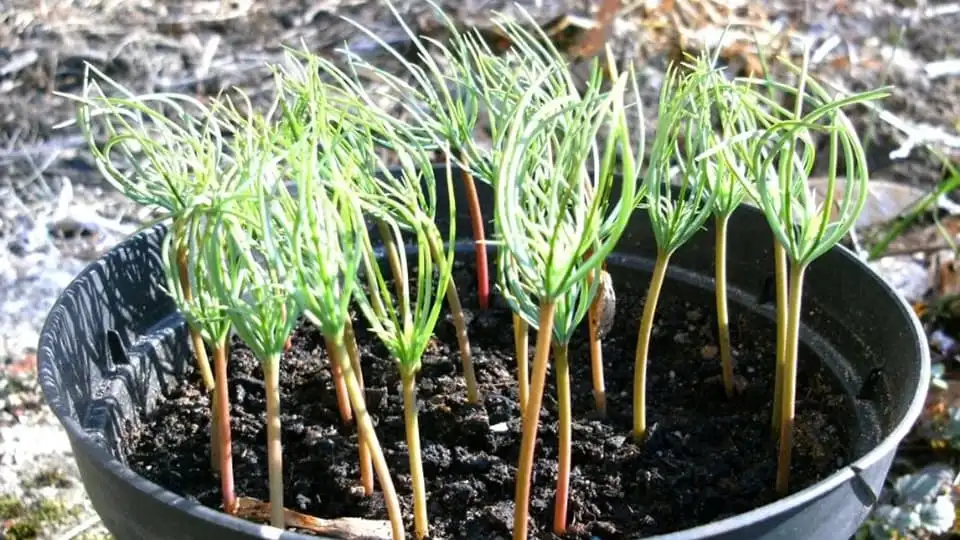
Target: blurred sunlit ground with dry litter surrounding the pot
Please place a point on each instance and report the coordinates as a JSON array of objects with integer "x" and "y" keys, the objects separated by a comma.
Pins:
[{"x": 57, "y": 214}]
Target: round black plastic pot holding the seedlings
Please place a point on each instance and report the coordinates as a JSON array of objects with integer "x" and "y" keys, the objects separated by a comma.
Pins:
[{"x": 113, "y": 344}]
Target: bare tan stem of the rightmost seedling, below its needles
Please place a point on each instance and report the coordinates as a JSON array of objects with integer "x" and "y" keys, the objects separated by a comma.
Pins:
[{"x": 788, "y": 402}]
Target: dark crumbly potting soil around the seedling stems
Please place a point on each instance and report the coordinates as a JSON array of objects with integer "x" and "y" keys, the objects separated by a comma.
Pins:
[{"x": 707, "y": 456}]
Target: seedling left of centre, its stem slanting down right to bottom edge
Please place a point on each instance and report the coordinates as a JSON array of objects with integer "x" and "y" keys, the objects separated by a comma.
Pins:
[{"x": 324, "y": 253}]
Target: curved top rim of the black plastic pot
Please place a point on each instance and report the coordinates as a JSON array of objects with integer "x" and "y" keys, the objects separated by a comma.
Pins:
[{"x": 197, "y": 510}]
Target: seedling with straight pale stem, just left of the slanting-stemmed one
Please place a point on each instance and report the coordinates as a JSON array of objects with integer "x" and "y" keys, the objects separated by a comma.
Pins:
[{"x": 255, "y": 282}]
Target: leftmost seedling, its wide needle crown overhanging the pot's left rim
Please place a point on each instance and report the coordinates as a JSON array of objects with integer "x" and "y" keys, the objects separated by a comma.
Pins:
[{"x": 163, "y": 151}]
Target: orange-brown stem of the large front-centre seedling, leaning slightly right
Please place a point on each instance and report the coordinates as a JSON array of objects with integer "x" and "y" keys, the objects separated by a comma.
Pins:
[{"x": 531, "y": 421}]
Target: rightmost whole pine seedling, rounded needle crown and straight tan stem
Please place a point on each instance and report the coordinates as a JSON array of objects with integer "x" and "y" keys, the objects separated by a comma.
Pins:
[{"x": 804, "y": 225}]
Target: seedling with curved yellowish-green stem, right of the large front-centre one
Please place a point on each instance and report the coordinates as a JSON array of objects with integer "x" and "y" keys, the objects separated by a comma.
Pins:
[{"x": 683, "y": 114}]
